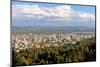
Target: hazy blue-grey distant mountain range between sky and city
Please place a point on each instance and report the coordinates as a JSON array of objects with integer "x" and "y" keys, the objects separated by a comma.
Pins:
[{"x": 53, "y": 29}]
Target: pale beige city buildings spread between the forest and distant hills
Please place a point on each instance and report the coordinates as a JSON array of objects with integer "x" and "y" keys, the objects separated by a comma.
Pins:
[{"x": 24, "y": 41}]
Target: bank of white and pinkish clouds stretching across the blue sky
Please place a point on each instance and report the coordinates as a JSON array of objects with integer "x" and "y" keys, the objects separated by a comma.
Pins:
[{"x": 62, "y": 12}]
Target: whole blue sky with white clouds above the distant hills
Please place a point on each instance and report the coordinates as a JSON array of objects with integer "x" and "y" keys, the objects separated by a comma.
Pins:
[{"x": 51, "y": 14}]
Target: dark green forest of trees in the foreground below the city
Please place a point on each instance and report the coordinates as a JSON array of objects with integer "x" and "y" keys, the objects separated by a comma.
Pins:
[{"x": 82, "y": 51}]
